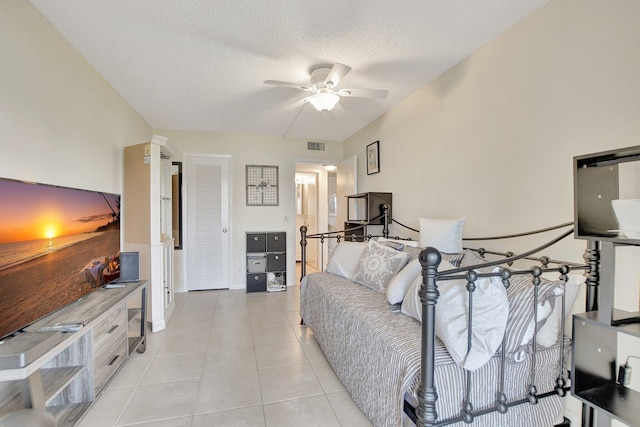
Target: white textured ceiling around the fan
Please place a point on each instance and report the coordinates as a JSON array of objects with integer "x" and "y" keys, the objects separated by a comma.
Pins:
[{"x": 200, "y": 64}]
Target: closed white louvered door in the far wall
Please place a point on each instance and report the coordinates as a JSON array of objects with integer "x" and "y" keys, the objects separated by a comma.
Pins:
[{"x": 208, "y": 234}]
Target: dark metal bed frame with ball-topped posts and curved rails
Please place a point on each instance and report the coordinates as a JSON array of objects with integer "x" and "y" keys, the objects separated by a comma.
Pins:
[{"x": 425, "y": 414}]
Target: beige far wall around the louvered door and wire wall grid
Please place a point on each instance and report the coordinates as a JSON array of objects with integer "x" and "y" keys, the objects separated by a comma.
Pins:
[{"x": 253, "y": 150}]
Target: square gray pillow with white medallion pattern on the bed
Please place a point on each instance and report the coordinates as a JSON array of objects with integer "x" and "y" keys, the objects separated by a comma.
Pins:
[{"x": 377, "y": 265}]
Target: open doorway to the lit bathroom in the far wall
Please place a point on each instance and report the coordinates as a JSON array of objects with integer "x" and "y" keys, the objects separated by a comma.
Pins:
[{"x": 315, "y": 195}]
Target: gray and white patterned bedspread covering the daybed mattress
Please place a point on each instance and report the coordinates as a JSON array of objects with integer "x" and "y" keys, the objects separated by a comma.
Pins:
[{"x": 375, "y": 352}]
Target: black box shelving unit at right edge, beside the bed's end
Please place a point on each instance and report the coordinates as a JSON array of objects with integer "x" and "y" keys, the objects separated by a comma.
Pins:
[{"x": 596, "y": 333}]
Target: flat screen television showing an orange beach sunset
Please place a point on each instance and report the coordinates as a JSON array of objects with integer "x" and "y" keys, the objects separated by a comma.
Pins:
[{"x": 57, "y": 244}]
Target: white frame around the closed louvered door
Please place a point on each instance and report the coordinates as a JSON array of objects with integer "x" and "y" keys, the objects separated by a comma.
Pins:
[{"x": 185, "y": 213}]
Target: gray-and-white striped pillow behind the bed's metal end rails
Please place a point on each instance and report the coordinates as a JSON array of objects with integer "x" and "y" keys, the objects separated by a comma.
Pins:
[{"x": 521, "y": 323}]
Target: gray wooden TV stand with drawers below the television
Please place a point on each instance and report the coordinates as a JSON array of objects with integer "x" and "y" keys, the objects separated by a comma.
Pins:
[{"x": 64, "y": 372}]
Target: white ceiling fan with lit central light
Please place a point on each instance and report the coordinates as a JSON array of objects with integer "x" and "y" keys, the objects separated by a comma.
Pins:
[{"x": 324, "y": 82}]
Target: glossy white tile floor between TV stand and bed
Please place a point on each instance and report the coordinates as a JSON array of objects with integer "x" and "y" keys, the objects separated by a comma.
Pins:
[{"x": 228, "y": 358}]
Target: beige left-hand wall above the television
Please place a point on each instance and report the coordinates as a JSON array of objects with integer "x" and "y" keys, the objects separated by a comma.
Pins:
[{"x": 61, "y": 122}]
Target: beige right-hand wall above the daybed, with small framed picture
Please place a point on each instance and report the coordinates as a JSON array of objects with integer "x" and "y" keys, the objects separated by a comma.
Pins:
[{"x": 493, "y": 139}]
